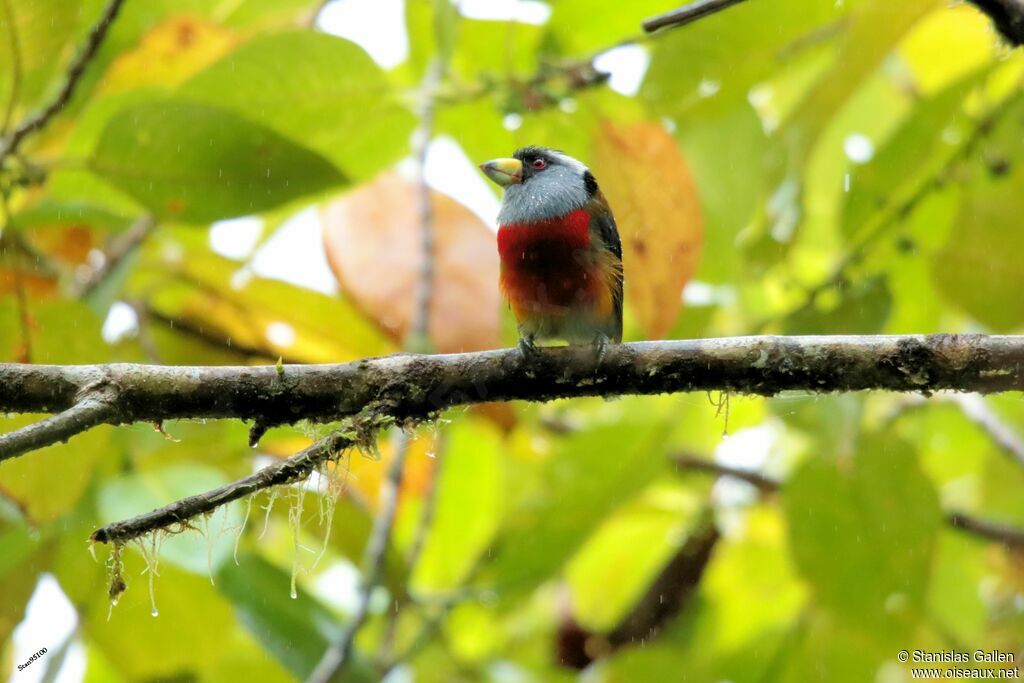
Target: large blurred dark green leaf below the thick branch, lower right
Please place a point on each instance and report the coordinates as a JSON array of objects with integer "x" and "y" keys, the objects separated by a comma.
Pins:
[{"x": 864, "y": 534}]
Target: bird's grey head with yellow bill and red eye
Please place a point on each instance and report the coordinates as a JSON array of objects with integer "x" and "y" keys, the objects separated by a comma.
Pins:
[{"x": 540, "y": 184}]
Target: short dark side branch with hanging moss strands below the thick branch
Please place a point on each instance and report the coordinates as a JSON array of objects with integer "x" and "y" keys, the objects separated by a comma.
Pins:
[{"x": 298, "y": 467}]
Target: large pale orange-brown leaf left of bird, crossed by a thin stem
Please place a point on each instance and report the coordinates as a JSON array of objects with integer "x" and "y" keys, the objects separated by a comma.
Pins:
[{"x": 372, "y": 238}]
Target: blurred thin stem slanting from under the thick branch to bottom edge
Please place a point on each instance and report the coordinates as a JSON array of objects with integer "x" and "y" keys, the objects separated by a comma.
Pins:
[{"x": 373, "y": 566}]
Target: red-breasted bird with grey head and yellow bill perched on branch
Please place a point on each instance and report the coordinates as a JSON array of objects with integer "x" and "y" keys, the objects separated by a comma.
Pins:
[{"x": 562, "y": 258}]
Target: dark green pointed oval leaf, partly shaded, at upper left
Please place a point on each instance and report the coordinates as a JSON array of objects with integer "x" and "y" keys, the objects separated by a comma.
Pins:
[{"x": 197, "y": 163}]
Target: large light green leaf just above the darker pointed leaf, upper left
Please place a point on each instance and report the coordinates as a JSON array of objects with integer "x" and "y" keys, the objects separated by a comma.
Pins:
[{"x": 316, "y": 90}]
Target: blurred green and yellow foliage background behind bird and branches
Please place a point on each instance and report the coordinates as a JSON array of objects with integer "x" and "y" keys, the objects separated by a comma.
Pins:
[{"x": 787, "y": 166}]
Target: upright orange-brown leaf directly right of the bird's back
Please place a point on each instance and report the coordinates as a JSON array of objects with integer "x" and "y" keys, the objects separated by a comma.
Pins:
[{"x": 650, "y": 187}]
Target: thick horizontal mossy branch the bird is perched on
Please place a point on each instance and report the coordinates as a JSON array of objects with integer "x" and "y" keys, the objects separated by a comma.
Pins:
[{"x": 416, "y": 387}]
